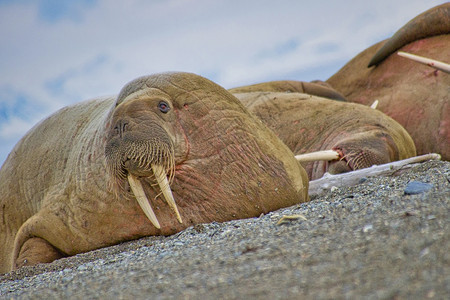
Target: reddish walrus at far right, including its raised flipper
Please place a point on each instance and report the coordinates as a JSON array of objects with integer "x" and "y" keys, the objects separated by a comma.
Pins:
[{"x": 413, "y": 94}]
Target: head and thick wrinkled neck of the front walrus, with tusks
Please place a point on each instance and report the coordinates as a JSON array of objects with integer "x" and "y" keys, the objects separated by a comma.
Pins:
[{"x": 188, "y": 138}]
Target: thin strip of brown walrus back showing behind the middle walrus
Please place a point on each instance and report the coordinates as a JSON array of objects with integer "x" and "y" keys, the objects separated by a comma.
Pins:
[{"x": 317, "y": 88}]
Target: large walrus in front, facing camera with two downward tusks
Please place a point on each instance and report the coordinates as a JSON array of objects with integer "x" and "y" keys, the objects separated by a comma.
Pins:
[{"x": 171, "y": 150}]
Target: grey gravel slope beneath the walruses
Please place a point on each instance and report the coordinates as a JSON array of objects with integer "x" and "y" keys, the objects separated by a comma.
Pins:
[{"x": 371, "y": 241}]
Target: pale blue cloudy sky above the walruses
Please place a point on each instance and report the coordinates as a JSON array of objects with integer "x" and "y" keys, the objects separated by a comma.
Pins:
[{"x": 54, "y": 52}]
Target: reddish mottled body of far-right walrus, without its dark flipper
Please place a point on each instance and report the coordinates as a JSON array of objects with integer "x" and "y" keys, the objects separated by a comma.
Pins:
[{"x": 413, "y": 94}]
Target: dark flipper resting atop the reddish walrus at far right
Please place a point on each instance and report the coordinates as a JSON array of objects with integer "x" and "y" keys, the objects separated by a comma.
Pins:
[{"x": 435, "y": 21}]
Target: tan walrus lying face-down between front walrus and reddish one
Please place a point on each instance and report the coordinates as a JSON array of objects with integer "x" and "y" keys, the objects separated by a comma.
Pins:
[{"x": 305, "y": 123}]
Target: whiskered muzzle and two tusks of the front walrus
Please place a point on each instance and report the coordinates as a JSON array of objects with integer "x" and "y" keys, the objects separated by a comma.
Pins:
[{"x": 130, "y": 158}]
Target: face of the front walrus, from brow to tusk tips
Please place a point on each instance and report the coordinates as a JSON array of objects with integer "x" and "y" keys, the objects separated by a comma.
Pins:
[{"x": 140, "y": 144}]
